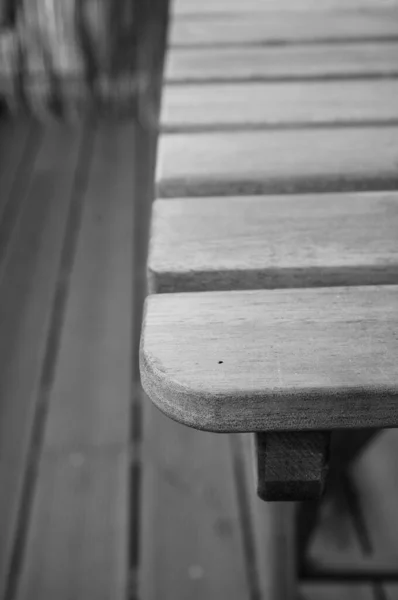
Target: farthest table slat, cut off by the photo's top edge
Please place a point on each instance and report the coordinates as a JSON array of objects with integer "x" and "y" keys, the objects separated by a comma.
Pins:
[{"x": 210, "y": 7}]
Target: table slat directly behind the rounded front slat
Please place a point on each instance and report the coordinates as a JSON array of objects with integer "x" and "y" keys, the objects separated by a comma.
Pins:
[{"x": 257, "y": 242}]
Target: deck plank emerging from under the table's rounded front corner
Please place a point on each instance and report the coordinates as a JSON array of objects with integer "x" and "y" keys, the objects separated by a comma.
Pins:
[{"x": 191, "y": 531}]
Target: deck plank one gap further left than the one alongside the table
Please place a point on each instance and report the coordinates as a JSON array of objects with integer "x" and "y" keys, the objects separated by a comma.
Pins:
[{"x": 27, "y": 292}]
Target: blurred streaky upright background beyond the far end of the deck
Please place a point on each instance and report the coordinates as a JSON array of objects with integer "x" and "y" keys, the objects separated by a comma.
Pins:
[{"x": 64, "y": 57}]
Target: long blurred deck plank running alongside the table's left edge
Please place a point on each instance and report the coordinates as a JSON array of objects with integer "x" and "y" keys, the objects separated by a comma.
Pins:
[{"x": 81, "y": 508}]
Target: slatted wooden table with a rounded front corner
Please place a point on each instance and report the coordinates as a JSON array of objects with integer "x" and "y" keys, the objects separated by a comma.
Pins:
[{"x": 277, "y": 172}]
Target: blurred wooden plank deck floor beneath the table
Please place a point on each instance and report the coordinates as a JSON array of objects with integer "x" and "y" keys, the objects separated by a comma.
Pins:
[{"x": 96, "y": 501}]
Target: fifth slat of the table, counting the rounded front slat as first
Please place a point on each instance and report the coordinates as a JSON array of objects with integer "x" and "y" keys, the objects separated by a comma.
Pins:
[{"x": 282, "y": 63}]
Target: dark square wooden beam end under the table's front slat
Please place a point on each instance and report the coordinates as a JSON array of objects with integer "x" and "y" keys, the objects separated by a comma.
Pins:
[{"x": 291, "y": 466}]
